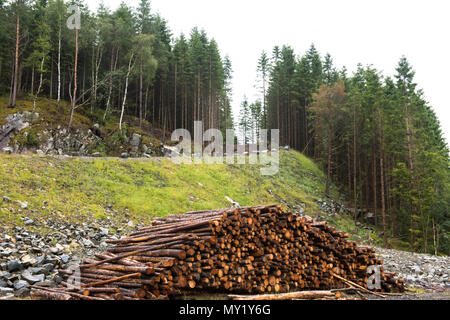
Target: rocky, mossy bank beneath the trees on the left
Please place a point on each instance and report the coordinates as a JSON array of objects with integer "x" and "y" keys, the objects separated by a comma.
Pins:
[{"x": 44, "y": 130}]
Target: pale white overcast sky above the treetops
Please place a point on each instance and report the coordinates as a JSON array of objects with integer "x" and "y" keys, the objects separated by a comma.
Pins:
[{"x": 352, "y": 31}]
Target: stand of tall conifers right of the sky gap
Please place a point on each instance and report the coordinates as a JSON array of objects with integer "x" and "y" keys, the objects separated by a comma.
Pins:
[{"x": 376, "y": 137}]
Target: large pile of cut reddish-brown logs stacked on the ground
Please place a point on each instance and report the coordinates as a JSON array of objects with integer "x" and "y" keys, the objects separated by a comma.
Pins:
[{"x": 260, "y": 249}]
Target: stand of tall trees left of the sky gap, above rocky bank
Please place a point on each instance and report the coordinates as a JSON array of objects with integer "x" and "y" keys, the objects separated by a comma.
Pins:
[{"x": 123, "y": 62}]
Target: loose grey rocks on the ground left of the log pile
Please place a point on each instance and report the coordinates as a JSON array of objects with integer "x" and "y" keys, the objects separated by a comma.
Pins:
[{"x": 29, "y": 258}]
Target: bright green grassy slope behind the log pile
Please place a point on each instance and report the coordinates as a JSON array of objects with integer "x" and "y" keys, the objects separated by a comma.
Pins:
[{"x": 78, "y": 190}]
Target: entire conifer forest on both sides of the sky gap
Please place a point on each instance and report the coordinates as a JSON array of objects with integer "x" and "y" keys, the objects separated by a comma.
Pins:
[{"x": 376, "y": 137}]
